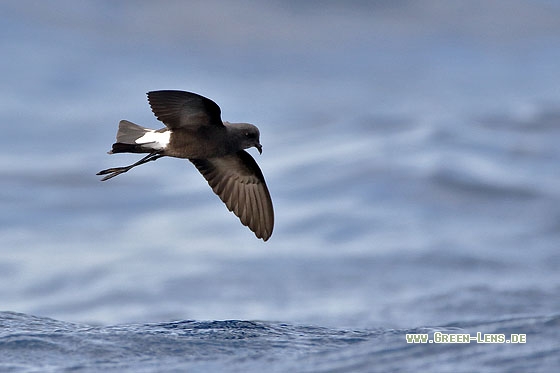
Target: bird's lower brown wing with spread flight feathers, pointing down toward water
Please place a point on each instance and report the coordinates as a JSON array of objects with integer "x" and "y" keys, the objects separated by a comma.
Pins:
[{"x": 240, "y": 184}]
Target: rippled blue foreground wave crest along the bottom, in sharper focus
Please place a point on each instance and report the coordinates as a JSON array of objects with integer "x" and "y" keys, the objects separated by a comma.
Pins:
[{"x": 31, "y": 343}]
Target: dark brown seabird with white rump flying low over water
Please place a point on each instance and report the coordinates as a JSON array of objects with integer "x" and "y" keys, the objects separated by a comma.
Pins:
[{"x": 194, "y": 130}]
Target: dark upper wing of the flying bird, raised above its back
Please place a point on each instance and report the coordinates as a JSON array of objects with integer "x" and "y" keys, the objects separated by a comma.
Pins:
[{"x": 179, "y": 109}]
